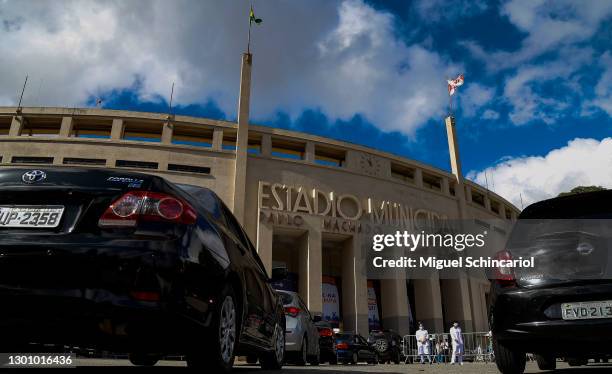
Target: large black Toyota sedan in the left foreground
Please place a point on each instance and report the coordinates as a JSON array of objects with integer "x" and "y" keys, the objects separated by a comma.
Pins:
[{"x": 128, "y": 262}]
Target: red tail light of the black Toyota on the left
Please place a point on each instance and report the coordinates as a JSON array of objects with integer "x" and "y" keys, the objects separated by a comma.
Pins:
[{"x": 136, "y": 206}]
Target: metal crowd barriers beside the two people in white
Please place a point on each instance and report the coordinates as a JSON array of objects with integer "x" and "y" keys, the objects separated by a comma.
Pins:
[{"x": 478, "y": 347}]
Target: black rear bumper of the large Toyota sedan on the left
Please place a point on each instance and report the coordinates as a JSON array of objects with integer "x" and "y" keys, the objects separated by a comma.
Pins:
[{"x": 89, "y": 318}]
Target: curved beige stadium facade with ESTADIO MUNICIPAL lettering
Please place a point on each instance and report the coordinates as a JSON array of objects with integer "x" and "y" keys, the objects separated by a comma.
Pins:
[{"x": 305, "y": 199}]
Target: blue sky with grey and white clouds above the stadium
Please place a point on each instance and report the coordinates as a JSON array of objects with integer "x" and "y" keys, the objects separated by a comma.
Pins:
[{"x": 533, "y": 117}]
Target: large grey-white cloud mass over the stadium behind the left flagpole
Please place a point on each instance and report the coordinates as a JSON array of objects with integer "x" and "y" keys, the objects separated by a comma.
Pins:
[{"x": 341, "y": 57}]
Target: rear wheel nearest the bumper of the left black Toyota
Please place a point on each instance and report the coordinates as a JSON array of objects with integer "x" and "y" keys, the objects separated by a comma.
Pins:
[{"x": 217, "y": 352}]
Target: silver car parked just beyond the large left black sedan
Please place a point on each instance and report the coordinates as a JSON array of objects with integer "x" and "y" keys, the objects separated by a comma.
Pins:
[{"x": 301, "y": 334}]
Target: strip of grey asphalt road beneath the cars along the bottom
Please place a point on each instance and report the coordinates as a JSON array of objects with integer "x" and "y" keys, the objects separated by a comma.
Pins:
[{"x": 102, "y": 366}]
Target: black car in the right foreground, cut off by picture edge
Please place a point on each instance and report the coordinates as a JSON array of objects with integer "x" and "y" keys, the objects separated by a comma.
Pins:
[{"x": 562, "y": 307}]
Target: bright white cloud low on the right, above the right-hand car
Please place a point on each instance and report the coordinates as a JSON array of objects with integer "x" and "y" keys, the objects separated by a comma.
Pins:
[{"x": 582, "y": 162}]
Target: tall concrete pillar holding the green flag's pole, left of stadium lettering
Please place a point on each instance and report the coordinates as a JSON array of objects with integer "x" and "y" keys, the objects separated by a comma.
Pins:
[{"x": 242, "y": 141}]
